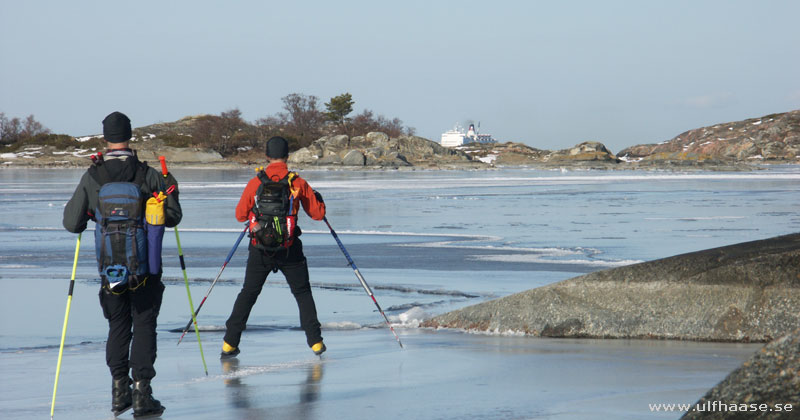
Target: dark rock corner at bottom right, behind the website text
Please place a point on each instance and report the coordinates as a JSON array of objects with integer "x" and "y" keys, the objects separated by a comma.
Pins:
[{"x": 760, "y": 388}]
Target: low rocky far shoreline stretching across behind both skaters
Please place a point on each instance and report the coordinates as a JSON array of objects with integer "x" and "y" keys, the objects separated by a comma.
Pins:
[{"x": 741, "y": 145}]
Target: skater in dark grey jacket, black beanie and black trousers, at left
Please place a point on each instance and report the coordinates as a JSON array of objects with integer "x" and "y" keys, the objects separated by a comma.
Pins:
[{"x": 132, "y": 311}]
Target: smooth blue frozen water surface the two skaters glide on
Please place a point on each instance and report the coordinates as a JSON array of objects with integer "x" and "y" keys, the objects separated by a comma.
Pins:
[{"x": 427, "y": 242}]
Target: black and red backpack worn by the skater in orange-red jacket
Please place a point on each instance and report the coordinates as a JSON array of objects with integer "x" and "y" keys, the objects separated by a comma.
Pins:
[{"x": 272, "y": 224}]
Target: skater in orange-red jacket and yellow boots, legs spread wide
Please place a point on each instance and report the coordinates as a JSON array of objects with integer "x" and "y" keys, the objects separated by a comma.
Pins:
[{"x": 287, "y": 257}]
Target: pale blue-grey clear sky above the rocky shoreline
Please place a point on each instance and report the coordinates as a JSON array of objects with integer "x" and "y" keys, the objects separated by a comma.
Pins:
[{"x": 548, "y": 74}]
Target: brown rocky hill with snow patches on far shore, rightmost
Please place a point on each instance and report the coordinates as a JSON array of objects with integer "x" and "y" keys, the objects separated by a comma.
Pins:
[{"x": 772, "y": 138}]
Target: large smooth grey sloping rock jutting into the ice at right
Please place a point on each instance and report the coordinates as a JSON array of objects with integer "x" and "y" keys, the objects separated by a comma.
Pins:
[{"x": 743, "y": 292}]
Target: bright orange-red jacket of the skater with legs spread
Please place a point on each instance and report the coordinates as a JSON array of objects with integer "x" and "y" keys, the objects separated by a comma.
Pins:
[{"x": 276, "y": 171}]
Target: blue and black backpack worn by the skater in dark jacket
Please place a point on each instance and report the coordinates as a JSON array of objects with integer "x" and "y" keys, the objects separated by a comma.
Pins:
[{"x": 120, "y": 236}]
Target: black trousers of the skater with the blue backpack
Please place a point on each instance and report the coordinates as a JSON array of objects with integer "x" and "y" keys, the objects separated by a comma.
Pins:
[{"x": 131, "y": 319}]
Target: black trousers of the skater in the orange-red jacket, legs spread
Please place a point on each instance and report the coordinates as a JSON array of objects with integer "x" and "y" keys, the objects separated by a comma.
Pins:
[{"x": 294, "y": 267}]
